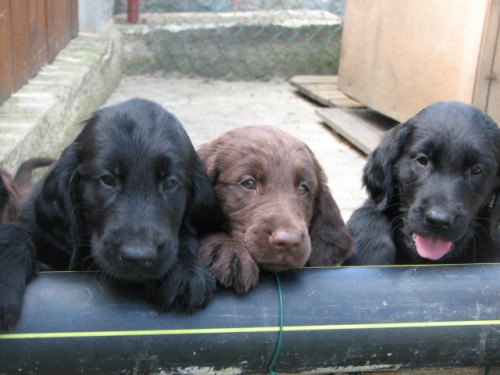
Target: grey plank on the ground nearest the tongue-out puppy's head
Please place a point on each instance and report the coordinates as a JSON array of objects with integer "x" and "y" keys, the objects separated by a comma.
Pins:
[{"x": 363, "y": 128}]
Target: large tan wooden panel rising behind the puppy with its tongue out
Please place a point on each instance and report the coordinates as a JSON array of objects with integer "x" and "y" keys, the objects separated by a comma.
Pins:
[{"x": 399, "y": 56}]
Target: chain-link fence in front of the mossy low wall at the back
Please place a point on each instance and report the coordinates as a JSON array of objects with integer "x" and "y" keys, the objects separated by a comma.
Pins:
[{"x": 235, "y": 39}]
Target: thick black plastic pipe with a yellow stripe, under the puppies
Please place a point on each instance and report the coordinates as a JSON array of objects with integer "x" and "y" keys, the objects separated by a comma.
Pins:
[{"x": 334, "y": 319}]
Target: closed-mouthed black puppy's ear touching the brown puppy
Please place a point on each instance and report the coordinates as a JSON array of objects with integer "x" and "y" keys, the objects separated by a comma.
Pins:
[{"x": 205, "y": 209}]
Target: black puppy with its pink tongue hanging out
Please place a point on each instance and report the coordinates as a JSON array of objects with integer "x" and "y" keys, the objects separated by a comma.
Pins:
[{"x": 434, "y": 191}]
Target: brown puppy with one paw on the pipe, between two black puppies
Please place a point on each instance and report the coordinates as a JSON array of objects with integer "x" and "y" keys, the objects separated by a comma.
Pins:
[{"x": 280, "y": 211}]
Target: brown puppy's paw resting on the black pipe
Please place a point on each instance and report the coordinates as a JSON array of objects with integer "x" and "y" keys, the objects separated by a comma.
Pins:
[{"x": 230, "y": 263}]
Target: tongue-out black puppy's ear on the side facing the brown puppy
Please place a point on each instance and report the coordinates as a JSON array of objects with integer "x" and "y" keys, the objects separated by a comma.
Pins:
[{"x": 378, "y": 172}]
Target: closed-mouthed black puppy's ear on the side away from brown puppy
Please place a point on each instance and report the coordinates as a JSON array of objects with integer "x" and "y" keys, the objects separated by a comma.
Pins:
[{"x": 55, "y": 207}]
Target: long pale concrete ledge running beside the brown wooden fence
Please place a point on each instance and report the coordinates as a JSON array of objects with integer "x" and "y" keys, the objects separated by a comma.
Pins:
[{"x": 43, "y": 116}]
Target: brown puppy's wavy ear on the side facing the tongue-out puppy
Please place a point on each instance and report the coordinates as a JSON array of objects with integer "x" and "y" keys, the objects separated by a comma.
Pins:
[{"x": 330, "y": 241}]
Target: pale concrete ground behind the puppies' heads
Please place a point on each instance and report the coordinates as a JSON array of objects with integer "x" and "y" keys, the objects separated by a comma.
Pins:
[{"x": 207, "y": 108}]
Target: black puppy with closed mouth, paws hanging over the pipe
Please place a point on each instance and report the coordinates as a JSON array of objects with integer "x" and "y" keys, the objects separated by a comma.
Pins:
[{"x": 125, "y": 197}]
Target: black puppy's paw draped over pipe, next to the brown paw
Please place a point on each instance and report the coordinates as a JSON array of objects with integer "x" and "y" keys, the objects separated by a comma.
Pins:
[{"x": 183, "y": 289}]
